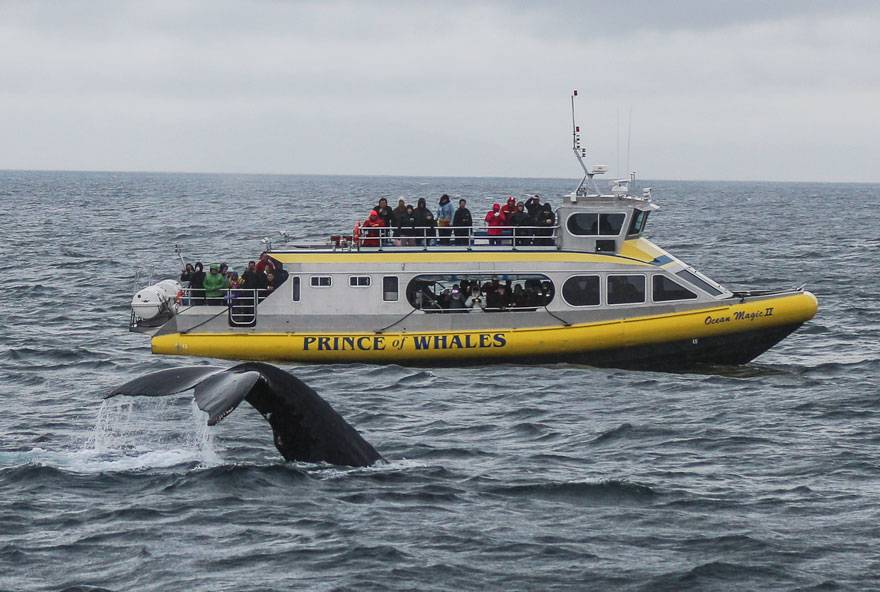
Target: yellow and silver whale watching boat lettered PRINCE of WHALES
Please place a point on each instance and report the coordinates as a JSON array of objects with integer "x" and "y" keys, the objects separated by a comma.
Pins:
[{"x": 587, "y": 287}]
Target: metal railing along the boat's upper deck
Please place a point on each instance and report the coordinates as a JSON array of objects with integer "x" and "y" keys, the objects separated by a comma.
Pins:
[{"x": 447, "y": 237}]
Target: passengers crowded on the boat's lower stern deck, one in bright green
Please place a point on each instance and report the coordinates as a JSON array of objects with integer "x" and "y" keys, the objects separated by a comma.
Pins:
[{"x": 221, "y": 286}]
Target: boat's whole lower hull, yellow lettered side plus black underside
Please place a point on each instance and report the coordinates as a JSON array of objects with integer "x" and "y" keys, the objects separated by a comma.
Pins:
[{"x": 731, "y": 333}]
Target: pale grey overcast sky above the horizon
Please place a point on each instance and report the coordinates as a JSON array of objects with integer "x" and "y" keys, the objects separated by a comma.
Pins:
[{"x": 776, "y": 90}]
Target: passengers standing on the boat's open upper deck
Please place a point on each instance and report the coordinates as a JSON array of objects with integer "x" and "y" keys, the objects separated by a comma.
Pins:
[{"x": 520, "y": 223}]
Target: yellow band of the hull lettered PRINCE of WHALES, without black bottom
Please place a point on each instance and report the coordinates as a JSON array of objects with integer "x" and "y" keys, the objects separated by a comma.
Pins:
[{"x": 496, "y": 344}]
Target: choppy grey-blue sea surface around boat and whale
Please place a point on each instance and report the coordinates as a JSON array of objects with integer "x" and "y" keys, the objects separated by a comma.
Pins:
[{"x": 501, "y": 477}]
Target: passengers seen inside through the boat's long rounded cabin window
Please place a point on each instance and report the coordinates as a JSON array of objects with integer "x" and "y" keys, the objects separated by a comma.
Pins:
[{"x": 491, "y": 296}]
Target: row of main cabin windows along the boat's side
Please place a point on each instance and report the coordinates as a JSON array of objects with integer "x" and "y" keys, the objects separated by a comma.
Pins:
[{"x": 578, "y": 290}]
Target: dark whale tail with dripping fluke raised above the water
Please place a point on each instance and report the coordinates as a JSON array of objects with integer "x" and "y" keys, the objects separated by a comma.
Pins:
[{"x": 305, "y": 427}]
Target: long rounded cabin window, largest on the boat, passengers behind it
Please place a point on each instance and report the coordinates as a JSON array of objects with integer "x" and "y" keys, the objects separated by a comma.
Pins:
[{"x": 479, "y": 292}]
